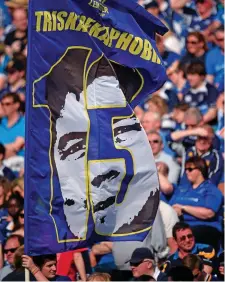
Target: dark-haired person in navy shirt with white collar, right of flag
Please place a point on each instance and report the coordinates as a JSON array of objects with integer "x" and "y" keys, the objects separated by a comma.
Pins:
[{"x": 201, "y": 94}]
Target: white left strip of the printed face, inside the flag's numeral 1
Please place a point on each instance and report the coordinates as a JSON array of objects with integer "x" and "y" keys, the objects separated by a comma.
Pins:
[{"x": 69, "y": 155}]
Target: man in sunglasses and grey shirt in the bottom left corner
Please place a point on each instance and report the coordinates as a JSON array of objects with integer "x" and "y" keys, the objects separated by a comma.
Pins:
[{"x": 11, "y": 245}]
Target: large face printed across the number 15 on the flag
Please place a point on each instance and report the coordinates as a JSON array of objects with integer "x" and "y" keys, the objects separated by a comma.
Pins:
[{"x": 113, "y": 183}]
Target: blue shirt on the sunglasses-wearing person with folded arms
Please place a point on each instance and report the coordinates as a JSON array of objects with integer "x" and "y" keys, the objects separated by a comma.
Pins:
[{"x": 206, "y": 195}]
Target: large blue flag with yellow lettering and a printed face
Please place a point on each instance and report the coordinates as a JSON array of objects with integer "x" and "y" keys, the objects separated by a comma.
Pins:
[{"x": 90, "y": 172}]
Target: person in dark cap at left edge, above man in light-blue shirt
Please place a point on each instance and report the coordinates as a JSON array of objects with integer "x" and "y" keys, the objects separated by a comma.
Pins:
[{"x": 16, "y": 77}]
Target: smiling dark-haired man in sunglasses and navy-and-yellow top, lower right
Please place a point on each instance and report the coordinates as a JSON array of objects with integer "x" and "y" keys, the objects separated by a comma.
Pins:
[{"x": 183, "y": 235}]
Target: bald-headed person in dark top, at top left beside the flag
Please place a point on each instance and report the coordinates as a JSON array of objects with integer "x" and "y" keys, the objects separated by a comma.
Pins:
[{"x": 16, "y": 40}]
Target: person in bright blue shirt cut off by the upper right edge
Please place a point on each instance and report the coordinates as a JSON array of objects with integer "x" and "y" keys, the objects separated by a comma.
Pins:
[{"x": 215, "y": 61}]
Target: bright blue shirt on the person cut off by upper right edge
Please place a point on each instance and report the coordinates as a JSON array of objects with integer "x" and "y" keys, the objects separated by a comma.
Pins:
[{"x": 215, "y": 66}]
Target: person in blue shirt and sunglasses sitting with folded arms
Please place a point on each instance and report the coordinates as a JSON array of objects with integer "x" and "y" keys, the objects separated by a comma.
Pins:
[{"x": 201, "y": 204}]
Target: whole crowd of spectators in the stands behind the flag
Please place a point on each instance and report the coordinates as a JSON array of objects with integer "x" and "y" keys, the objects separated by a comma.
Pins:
[{"x": 184, "y": 123}]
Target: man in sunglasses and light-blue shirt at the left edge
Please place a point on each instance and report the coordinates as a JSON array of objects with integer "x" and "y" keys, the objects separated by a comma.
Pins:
[{"x": 12, "y": 127}]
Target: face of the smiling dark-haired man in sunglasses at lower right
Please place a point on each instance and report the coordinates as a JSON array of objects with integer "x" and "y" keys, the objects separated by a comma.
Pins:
[{"x": 185, "y": 239}]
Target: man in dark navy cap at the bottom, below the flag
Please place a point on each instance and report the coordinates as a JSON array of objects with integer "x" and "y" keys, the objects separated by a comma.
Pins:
[{"x": 142, "y": 262}]
